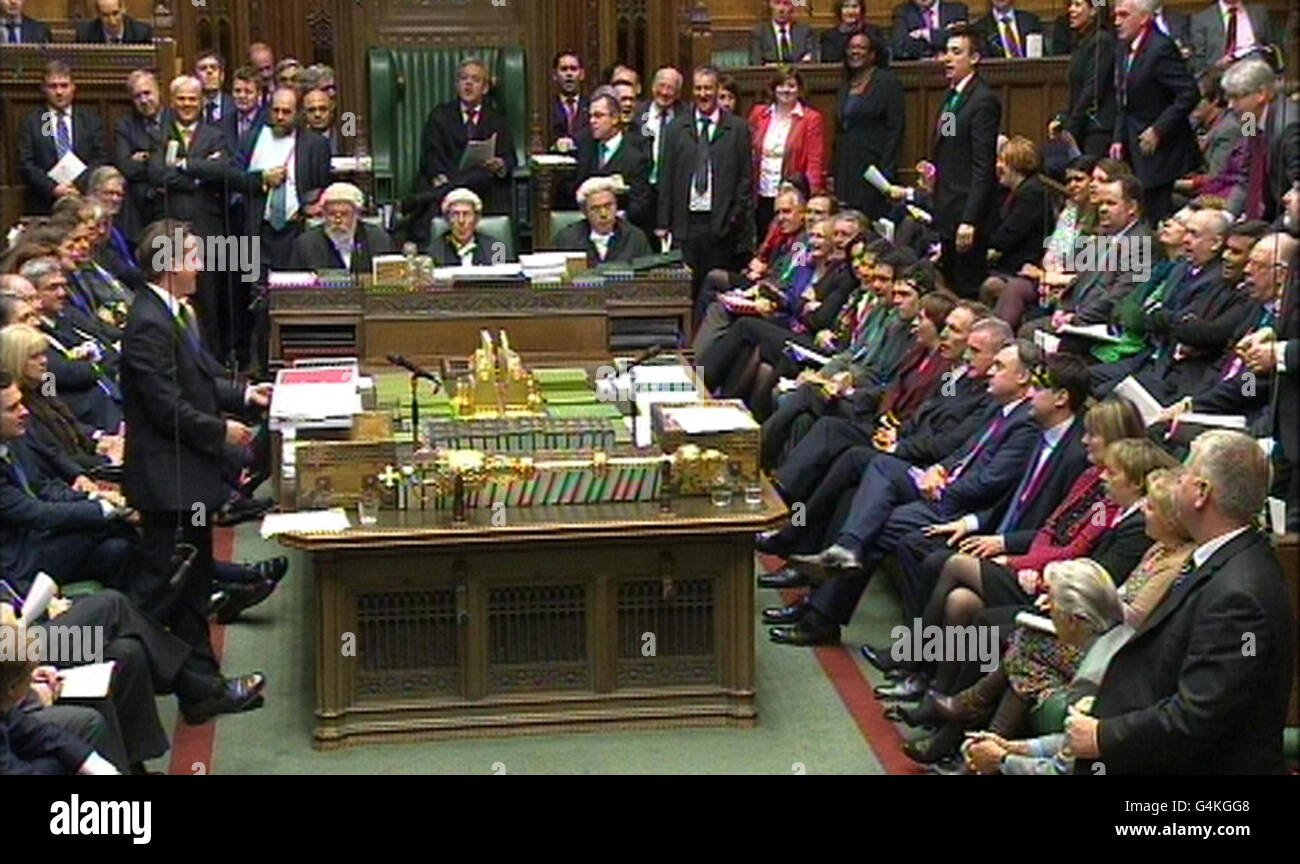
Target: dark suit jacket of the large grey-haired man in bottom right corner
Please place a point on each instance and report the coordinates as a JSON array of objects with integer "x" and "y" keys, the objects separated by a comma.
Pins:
[{"x": 1185, "y": 697}]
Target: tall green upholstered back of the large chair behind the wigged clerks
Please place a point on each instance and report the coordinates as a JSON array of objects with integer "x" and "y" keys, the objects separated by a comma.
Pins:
[{"x": 408, "y": 84}]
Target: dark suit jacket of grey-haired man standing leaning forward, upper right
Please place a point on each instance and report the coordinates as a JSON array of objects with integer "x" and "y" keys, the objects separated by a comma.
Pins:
[{"x": 1160, "y": 93}]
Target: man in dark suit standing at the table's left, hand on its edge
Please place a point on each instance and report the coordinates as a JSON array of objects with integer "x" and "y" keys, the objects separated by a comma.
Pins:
[{"x": 177, "y": 438}]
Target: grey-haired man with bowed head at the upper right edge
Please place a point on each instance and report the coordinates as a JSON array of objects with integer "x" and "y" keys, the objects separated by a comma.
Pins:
[{"x": 1251, "y": 90}]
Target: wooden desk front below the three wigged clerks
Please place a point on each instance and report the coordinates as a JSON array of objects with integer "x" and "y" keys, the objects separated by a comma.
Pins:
[{"x": 547, "y": 324}]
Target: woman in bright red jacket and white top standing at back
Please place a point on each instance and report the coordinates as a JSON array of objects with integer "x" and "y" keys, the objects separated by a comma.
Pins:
[{"x": 790, "y": 144}]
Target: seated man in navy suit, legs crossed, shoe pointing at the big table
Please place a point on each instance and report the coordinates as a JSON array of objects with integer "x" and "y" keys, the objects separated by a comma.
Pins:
[{"x": 895, "y": 498}]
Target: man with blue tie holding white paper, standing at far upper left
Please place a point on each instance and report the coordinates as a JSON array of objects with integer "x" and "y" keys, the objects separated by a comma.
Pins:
[{"x": 50, "y": 133}]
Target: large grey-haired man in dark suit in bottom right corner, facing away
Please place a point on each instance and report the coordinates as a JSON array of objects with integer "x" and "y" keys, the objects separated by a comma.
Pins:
[{"x": 1203, "y": 687}]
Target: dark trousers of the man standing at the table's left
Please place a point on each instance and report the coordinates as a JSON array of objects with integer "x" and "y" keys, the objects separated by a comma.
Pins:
[{"x": 187, "y": 613}]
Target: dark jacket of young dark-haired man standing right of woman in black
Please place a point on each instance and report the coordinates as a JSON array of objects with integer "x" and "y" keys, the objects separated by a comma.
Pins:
[{"x": 965, "y": 190}]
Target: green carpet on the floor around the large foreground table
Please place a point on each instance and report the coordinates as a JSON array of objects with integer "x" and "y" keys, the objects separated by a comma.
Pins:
[{"x": 801, "y": 717}]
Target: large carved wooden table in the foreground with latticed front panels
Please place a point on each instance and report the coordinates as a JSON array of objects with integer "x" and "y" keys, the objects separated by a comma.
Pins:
[{"x": 617, "y": 616}]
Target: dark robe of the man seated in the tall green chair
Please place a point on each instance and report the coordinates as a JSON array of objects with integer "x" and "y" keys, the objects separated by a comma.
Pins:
[{"x": 443, "y": 146}]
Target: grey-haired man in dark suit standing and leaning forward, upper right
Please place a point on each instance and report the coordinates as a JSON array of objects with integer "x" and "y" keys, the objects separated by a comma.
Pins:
[{"x": 1156, "y": 95}]
